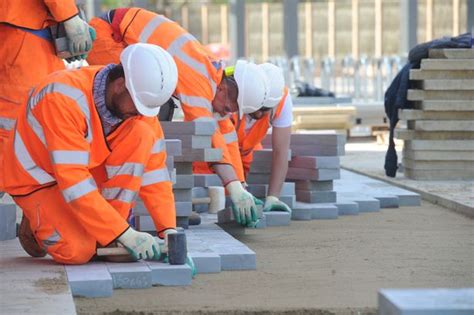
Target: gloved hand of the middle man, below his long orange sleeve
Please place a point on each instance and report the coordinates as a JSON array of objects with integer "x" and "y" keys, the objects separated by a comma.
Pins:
[{"x": 243, "y": 204}]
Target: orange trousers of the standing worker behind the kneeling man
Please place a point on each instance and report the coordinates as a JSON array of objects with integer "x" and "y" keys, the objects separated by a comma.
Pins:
[{"x": 25, "y": 59}]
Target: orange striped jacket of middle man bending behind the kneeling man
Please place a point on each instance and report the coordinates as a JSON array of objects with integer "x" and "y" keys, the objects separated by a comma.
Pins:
[{"x": 199, "y": 72}]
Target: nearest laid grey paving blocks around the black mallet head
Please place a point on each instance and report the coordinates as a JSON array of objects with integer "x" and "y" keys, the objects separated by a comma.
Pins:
[{"x": 212, "y": 250}]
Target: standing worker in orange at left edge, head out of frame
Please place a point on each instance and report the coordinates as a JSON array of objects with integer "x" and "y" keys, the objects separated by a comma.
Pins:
[{"x": 27, "y": 52}]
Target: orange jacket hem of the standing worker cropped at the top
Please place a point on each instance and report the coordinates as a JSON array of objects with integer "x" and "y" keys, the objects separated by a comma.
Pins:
[{"x": 36, "y": 14}]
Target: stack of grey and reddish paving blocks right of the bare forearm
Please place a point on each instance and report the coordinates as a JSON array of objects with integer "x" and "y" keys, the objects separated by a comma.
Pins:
[{"x": 313, "y": 167}]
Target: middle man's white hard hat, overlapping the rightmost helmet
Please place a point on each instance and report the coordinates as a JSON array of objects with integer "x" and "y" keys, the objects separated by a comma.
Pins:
[{"x": 253, "y": 87}]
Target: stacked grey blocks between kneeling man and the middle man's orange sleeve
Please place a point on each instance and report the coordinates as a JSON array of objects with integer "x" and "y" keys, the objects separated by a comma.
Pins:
[{"x": 195, "y": 138}]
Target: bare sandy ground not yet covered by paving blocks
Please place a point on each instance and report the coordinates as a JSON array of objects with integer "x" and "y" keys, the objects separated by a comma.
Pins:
[{"x": 321, "y": 267}]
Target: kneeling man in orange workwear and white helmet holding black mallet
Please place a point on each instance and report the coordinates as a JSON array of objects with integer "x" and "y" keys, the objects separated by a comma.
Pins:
[{"x": 86, "y": 143}]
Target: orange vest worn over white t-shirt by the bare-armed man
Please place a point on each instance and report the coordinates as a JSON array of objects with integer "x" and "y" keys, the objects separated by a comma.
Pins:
[{"x": 250, "y": 140}]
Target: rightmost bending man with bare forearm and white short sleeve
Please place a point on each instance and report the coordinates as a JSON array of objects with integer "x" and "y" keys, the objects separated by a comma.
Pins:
[{"x": 252, "y": 128}]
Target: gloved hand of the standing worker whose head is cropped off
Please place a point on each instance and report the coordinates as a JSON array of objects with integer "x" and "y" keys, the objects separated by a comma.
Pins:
[{"x": 79, "y": 35}]
